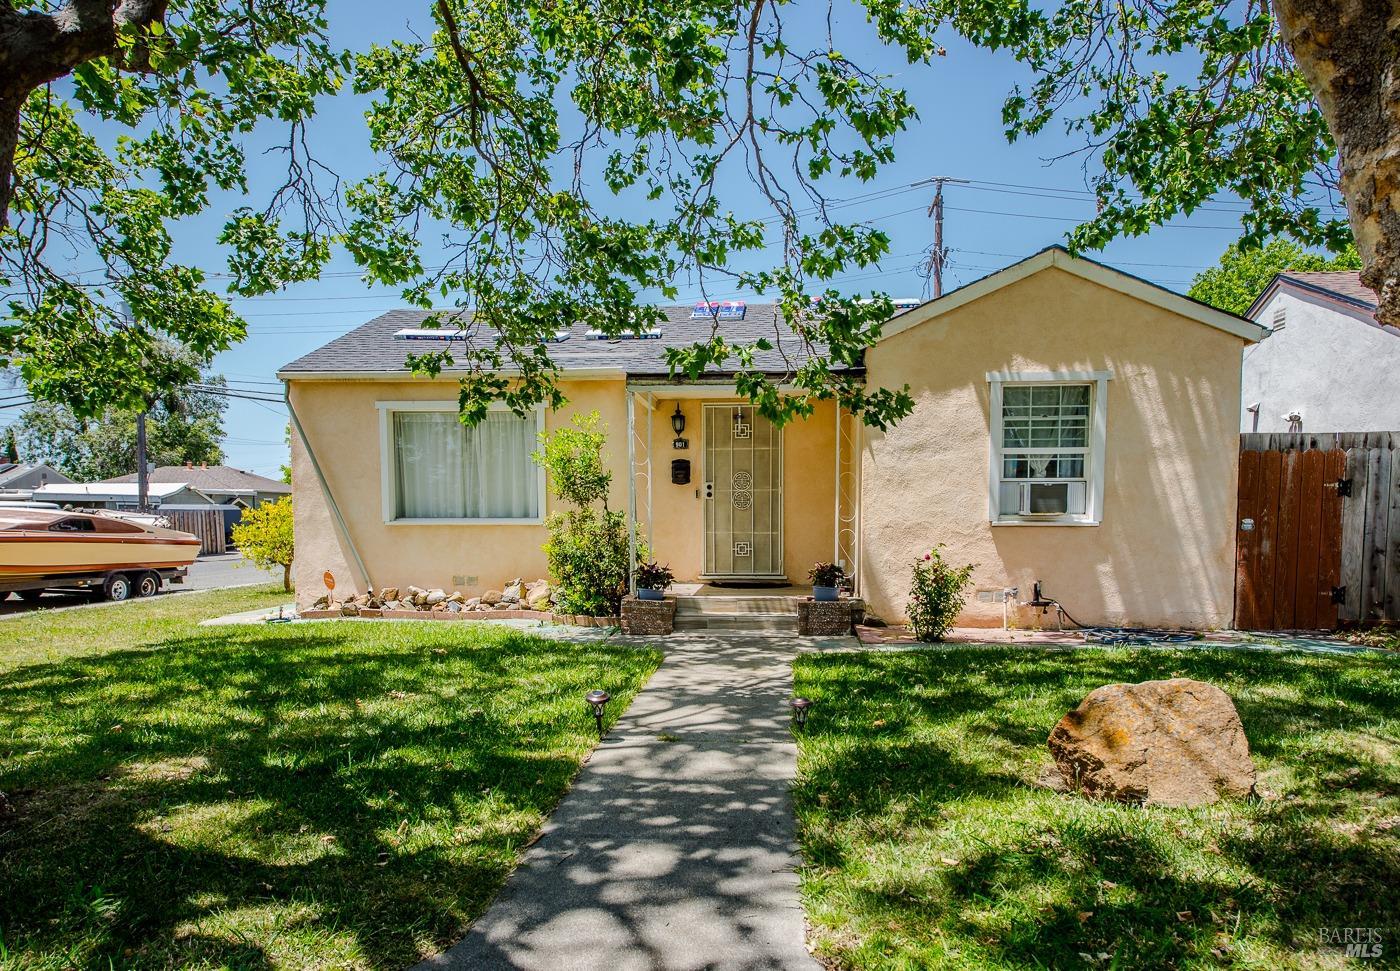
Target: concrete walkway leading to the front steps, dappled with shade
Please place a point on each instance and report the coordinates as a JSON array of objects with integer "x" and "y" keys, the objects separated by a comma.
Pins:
[{"x": 675, "y": 847}]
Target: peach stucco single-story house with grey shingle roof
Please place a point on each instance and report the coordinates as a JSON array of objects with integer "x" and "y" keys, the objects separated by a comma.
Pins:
[{"x": 1073, "y": 425}]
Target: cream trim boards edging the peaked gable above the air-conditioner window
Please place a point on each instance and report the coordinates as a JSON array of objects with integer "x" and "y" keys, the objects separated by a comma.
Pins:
[{"x": 1105, "y": 276}]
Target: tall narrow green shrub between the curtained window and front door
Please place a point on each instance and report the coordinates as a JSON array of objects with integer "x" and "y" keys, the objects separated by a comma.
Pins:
[{"x": 587, "y": 545}]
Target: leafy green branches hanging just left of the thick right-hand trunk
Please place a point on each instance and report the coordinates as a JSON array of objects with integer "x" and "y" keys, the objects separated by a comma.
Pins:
[{"x": 1177, "y": 104}]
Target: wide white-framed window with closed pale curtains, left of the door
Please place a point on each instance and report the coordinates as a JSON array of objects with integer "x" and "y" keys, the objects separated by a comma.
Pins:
[{"x": 437, "y": 471}]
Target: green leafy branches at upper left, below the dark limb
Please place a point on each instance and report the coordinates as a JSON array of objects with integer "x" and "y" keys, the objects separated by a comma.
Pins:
[{"x": 183, "y": 92}]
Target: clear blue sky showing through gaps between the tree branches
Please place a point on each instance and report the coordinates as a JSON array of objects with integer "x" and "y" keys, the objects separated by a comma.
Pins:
[{"x": 1017, "y": 205}]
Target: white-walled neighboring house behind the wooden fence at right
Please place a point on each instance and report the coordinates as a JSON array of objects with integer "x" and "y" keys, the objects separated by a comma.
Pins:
[{"x": 1326, "y": 364}]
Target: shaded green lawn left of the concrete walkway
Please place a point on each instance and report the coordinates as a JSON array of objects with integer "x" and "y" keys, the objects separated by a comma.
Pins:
[{"x": 313, "y": 795}]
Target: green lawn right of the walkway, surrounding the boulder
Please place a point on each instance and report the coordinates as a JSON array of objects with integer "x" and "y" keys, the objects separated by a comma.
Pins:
[{"x": 929, "y": 846}]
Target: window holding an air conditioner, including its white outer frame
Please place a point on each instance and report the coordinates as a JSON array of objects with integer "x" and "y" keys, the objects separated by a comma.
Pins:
[{"x": 1048, "y": 439}]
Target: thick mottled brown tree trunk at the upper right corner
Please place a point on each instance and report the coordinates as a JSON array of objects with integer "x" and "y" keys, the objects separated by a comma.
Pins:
[{"x": 1347, "y": 52}]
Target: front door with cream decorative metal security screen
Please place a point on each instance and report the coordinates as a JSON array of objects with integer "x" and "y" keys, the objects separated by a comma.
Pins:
[{"x": 743, "y": 495}]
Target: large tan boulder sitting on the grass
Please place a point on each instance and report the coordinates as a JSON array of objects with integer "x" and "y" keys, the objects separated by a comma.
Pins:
[{"x": 1170, "y": 744}]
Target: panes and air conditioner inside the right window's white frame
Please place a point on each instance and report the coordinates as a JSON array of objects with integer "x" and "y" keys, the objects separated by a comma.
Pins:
[{"x": 1045, "y": 450}]
